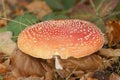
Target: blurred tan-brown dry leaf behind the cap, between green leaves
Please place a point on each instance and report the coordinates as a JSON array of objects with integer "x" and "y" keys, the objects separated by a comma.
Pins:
[{"x": 40, "y": 8}]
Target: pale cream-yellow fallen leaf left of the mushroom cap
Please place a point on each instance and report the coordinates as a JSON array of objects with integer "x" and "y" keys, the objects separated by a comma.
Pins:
[{"x": 7, "y": 46}]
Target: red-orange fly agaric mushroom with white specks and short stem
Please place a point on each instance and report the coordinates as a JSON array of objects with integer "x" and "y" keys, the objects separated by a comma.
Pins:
[{"x": 64, "y": 38}]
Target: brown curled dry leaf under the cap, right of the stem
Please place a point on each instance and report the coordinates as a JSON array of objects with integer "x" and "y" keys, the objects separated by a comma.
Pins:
[{"x": 89, "y": 63}]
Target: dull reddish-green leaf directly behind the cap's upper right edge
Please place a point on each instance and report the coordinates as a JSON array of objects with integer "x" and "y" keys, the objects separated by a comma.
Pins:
[{"x": 82, "y": 11}]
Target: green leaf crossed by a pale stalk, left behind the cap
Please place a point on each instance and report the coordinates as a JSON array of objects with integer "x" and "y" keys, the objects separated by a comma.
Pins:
[{"x": 20, "y": 22}]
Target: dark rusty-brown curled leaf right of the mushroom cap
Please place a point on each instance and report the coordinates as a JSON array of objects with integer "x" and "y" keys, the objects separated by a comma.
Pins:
[{"x": 113, "y": 32}]
